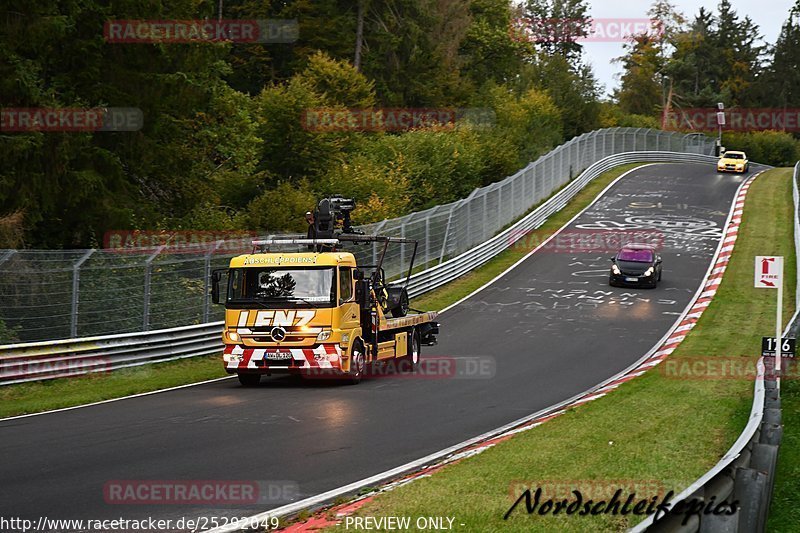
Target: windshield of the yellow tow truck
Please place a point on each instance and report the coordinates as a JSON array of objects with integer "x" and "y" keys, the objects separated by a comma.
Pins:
[{"x": 277, "y": 287}]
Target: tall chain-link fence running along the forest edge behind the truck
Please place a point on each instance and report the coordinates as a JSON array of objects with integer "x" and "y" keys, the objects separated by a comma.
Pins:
[{"x": 58, "y": 294}]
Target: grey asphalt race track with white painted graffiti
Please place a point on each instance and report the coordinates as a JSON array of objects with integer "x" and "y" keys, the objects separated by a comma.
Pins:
[{"x": 547, "y": 330}]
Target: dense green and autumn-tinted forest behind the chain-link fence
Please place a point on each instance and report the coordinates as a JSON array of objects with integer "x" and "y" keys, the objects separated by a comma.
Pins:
[{"x": 223, "y": 145}]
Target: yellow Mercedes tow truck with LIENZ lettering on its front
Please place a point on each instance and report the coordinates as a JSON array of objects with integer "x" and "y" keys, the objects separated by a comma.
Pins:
[{"x": 316, "y": 312}]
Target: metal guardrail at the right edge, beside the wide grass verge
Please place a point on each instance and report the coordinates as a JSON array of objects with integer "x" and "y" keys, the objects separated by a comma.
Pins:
[{"x": 746, "y": 473}]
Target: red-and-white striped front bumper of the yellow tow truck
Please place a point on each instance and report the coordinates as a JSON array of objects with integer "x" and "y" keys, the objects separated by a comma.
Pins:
[{"x": 322, "y": 357}]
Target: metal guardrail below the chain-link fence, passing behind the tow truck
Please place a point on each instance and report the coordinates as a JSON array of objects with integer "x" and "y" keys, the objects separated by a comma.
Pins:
[{"x": 60, "y": 358}]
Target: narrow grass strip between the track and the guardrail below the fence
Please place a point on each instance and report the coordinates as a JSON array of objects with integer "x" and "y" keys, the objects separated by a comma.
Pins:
[{"x": 58, "y": 393}]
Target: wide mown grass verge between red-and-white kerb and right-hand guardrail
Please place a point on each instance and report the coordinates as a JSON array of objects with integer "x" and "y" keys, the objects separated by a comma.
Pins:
[{"x": 658, "y": 432}]
